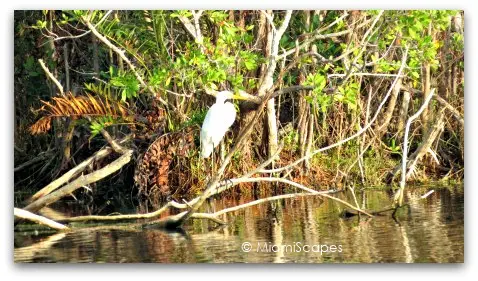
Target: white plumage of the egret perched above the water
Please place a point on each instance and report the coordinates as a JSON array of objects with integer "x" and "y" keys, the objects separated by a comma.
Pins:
[{"x": 218, "y": 119}]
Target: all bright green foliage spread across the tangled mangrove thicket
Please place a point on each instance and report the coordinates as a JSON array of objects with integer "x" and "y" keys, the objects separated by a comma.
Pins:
[{"x": 229, "y": 56}]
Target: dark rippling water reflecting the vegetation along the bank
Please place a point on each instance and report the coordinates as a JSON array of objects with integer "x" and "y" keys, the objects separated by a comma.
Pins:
[{"x": 304, "y": 230}]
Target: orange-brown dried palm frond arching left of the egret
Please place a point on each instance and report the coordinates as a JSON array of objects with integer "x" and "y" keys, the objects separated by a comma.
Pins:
[{"x": 77, "y": 107}]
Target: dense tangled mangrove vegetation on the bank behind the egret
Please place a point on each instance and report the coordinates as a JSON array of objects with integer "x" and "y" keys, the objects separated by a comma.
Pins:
[{"x": 145, "y": 79}]
